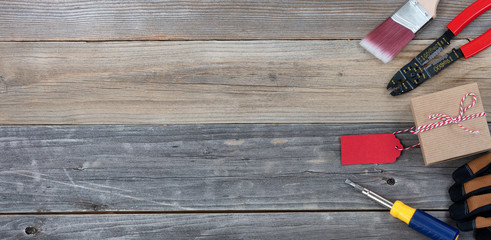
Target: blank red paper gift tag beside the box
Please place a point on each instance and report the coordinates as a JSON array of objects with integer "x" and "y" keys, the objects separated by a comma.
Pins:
[{"x": 368, "y": 149}]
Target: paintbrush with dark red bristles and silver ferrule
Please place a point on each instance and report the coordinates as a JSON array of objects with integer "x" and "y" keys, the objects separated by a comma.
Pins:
[{"x": 391, "y": 36}]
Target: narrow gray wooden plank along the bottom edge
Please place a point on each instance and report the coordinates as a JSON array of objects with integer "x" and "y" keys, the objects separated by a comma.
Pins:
[{"x": 300, "y": 225}]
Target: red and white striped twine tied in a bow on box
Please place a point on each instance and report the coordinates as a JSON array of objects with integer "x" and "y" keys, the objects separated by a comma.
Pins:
[{"x": 445, "y": 120}]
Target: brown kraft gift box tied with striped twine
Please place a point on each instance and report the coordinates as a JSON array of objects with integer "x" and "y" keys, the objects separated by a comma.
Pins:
[{"x": 450, "y": 141}]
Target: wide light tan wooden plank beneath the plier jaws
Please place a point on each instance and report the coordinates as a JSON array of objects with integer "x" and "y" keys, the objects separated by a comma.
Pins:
[{"x": 212, "y": 82}]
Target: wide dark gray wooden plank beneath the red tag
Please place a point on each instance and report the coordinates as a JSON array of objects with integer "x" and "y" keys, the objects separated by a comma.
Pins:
[{"x": 205, "y": 167}]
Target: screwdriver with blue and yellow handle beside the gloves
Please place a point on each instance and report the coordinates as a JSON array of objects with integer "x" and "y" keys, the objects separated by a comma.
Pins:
[{"x": 415, "y": 218}]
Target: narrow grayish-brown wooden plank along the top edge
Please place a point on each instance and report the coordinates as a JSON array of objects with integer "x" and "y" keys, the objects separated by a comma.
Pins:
[{"x": 23, "y": 20}]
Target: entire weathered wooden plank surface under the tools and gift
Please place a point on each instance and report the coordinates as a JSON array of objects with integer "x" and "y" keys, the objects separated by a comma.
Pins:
[{"x": 252, "y": 151}]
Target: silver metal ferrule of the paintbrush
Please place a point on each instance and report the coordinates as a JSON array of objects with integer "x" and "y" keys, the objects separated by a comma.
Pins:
[{"x": 412, "y": 15}]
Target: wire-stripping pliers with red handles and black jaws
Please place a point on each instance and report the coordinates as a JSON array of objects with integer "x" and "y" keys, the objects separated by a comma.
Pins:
[{"x": 414, "y": 73}]
